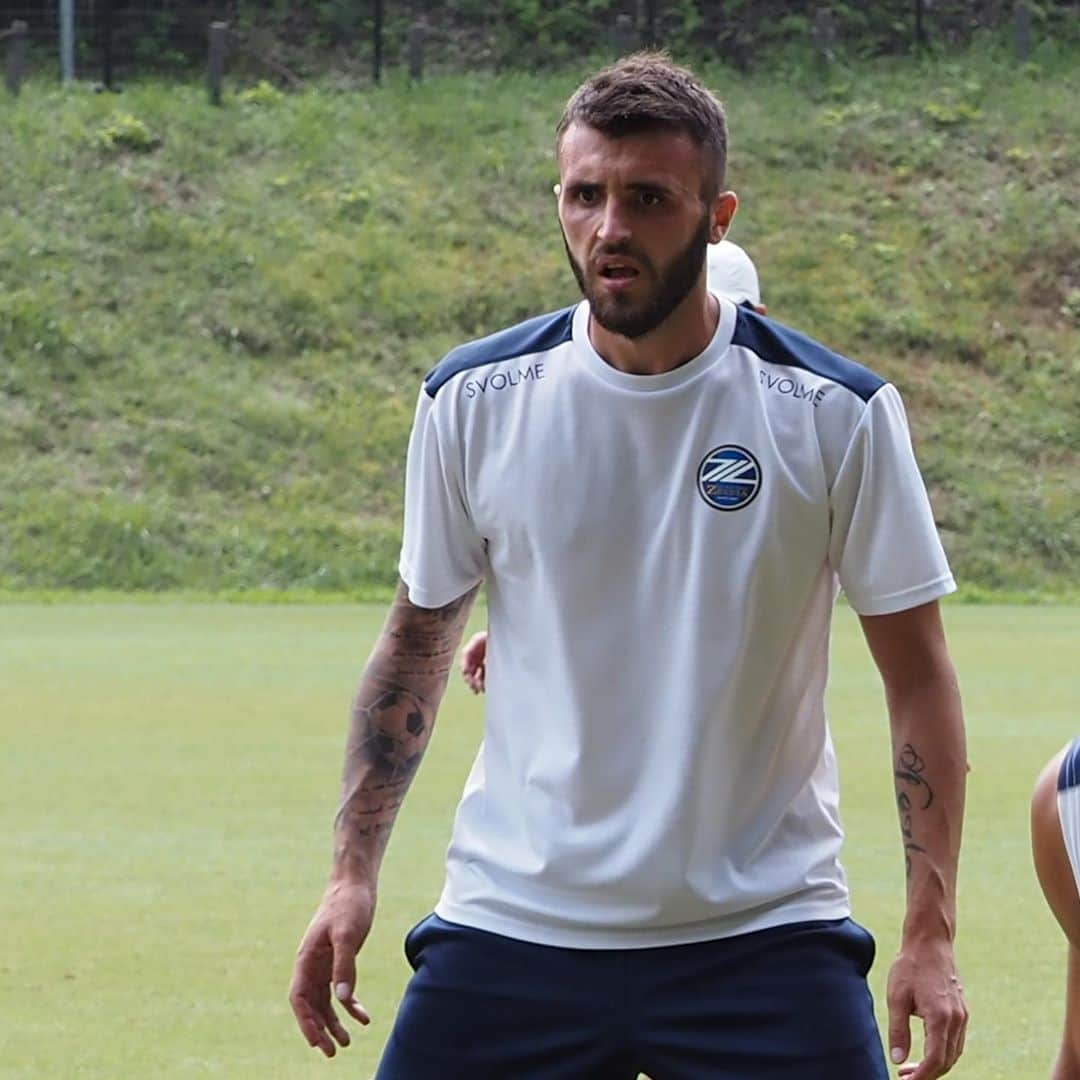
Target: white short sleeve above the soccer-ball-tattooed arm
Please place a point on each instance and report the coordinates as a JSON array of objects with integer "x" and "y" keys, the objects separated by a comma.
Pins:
[{"x": 442, "y": 555}]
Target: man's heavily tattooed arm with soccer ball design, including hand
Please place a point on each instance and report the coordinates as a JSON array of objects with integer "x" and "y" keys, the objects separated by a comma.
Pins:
[{"x": 393, "y": 719}]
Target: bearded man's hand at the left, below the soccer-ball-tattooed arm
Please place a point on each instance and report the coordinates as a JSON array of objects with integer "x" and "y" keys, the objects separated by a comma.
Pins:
[{"x": 328, "y": 957}]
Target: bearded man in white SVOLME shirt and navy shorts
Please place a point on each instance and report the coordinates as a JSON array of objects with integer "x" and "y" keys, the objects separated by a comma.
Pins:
[{"x": 663, "y": 492}]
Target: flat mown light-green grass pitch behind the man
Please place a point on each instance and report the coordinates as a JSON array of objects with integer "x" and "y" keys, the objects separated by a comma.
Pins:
[{"x": 168, "y": 778}]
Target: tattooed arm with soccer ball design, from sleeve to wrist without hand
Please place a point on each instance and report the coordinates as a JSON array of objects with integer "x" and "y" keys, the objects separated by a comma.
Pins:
[{"x": 394, "y": 714}]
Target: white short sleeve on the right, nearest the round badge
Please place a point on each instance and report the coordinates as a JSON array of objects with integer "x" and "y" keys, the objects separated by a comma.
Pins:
[{"x": 884, "y": 545}]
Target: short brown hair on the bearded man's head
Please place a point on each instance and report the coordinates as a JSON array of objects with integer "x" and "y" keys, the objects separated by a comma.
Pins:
[{"x": 649, "y": 91}]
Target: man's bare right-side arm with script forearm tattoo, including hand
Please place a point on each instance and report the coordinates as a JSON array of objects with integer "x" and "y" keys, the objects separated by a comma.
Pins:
[{"x": 930, "y": 769}]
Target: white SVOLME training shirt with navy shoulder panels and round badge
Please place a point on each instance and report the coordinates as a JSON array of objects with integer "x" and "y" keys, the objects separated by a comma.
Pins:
[{"x": 661, "y": 556}]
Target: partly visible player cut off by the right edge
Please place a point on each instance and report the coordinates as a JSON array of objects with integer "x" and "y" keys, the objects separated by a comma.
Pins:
[{"x": 1056, "y": 843}]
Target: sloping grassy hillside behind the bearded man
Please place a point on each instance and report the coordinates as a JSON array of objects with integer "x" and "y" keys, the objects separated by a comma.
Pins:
[{"x": 213, "y": 322}]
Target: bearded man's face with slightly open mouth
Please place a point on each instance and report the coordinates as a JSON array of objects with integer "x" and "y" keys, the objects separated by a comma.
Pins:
[{"x": 634, "y": 223}]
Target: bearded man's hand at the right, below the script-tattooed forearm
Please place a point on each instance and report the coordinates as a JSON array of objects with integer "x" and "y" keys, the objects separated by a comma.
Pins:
[{"x": 924, "y": 982}]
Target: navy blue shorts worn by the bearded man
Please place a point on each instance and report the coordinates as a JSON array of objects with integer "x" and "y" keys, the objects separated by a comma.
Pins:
[{"x": 775, "y": 1005}]
